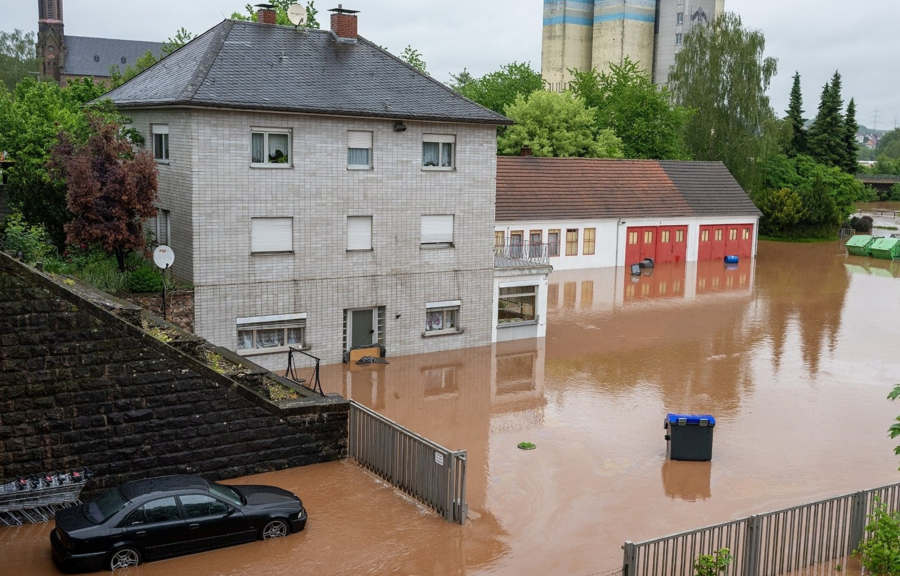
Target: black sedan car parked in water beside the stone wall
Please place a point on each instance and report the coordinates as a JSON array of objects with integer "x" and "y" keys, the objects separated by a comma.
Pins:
[{"x": 169, "y": 516}]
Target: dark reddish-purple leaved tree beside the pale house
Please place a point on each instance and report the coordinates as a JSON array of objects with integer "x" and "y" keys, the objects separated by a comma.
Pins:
[{"x": 111, "y": 189}]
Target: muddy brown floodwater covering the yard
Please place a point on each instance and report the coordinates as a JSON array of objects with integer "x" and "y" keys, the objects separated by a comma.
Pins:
[{"x": 794, "y": 353}]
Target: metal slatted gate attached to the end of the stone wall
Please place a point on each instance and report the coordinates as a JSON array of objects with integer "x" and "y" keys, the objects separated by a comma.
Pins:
[{"x": 430, "y": 473}]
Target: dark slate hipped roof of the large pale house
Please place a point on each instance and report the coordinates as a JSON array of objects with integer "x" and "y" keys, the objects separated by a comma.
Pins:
[{"x": 248, "y": 65}]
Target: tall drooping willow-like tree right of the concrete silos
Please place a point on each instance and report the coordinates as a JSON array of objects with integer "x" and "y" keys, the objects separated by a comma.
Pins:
[{"x": 721, "y": 72}]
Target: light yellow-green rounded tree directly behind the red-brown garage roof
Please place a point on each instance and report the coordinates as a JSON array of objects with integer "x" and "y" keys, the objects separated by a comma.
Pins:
[{"x": 554, "y": 124}]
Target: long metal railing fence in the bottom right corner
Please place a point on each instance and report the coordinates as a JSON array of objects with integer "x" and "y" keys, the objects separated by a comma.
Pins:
[{"x": 767, "y": 544}]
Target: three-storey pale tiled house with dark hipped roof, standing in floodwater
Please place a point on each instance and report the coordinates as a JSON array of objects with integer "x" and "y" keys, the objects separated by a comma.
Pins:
[{"x": 321, "y": 193}]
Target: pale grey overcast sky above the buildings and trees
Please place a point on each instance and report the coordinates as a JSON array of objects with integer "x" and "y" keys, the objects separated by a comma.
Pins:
[{"x": 814, "y": 37}]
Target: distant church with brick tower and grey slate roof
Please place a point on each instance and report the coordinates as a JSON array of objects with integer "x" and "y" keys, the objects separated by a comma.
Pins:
[{"x": 64, "y": 58}]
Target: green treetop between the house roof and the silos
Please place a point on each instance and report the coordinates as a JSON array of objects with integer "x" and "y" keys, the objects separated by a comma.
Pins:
[{"x": 499, "y": 89}]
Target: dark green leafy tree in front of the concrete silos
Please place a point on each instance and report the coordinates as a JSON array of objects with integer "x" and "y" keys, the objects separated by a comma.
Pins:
[{"x": 640, "y": 113}]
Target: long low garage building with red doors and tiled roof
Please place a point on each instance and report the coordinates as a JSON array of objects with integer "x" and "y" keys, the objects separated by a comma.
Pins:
[{"x": 592, "y": 213}]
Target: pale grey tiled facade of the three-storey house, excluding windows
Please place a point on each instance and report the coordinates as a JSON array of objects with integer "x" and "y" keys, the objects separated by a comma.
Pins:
[{"x": 213, "y": 192}]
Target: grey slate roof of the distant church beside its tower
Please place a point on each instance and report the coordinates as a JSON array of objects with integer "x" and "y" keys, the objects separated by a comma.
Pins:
[{"x": 94, "y": 56}]
